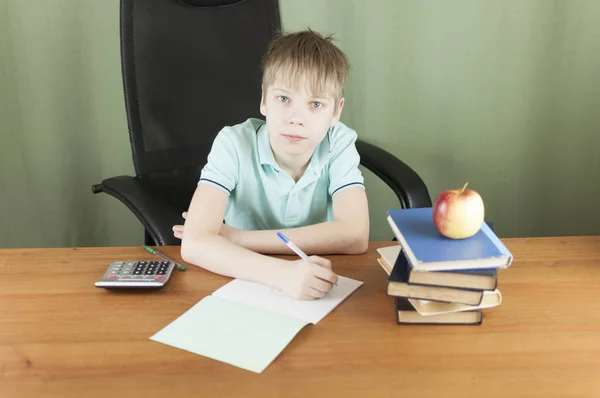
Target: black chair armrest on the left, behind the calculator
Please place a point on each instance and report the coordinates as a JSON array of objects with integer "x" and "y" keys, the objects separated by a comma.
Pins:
[{"x": 156, "y": 214}]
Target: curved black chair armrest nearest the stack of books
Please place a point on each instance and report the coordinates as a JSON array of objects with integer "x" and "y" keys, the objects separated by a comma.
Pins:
[{"x": 404, "y": 181}]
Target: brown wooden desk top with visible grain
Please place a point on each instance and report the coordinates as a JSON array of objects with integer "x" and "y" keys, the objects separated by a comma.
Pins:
[{"x": 62, "y": 337}]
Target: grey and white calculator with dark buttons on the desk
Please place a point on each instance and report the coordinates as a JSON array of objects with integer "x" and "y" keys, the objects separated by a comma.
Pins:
[{"x": 137, "y": 274}]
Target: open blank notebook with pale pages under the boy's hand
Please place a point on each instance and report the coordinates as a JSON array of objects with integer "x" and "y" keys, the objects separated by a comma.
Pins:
[{"x": 247, "y": 324}]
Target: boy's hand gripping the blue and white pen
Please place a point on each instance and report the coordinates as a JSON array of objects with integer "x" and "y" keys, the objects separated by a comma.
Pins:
[{"x": 308, "y": 281}]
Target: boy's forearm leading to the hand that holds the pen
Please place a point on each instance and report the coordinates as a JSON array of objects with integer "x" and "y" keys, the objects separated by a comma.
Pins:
[{"x": 219, "y": 255}]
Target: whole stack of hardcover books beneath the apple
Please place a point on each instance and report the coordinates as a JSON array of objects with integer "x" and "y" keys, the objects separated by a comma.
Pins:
[{"x": 437, "y": 280}]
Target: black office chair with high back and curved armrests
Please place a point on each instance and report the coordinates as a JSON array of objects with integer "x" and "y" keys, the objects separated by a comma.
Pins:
[{"x": 189, "y": 68}]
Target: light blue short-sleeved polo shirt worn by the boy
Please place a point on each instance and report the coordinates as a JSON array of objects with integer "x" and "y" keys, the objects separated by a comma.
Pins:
[{"x": 261, "y": 195}]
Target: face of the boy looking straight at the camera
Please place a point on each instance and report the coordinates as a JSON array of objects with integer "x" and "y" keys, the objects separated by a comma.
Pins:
[{"x": 297, "y": 120}]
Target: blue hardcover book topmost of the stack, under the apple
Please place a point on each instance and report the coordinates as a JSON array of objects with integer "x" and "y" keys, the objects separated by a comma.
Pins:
[{"x": 428, "y": 250}]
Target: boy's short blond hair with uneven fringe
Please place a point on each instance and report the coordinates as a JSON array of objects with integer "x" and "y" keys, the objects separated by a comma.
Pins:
[{"x": 307, "y": 58}]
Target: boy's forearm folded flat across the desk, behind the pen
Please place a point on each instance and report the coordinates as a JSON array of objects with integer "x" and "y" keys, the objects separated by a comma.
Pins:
[{"x": 332, "y": 237}]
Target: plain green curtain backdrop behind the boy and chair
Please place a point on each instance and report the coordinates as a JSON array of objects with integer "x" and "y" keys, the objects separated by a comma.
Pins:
[{"x": 503, "y": 94}]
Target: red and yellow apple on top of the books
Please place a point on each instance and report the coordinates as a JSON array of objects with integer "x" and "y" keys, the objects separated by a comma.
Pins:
[{"x": 458, "y": 213}]
